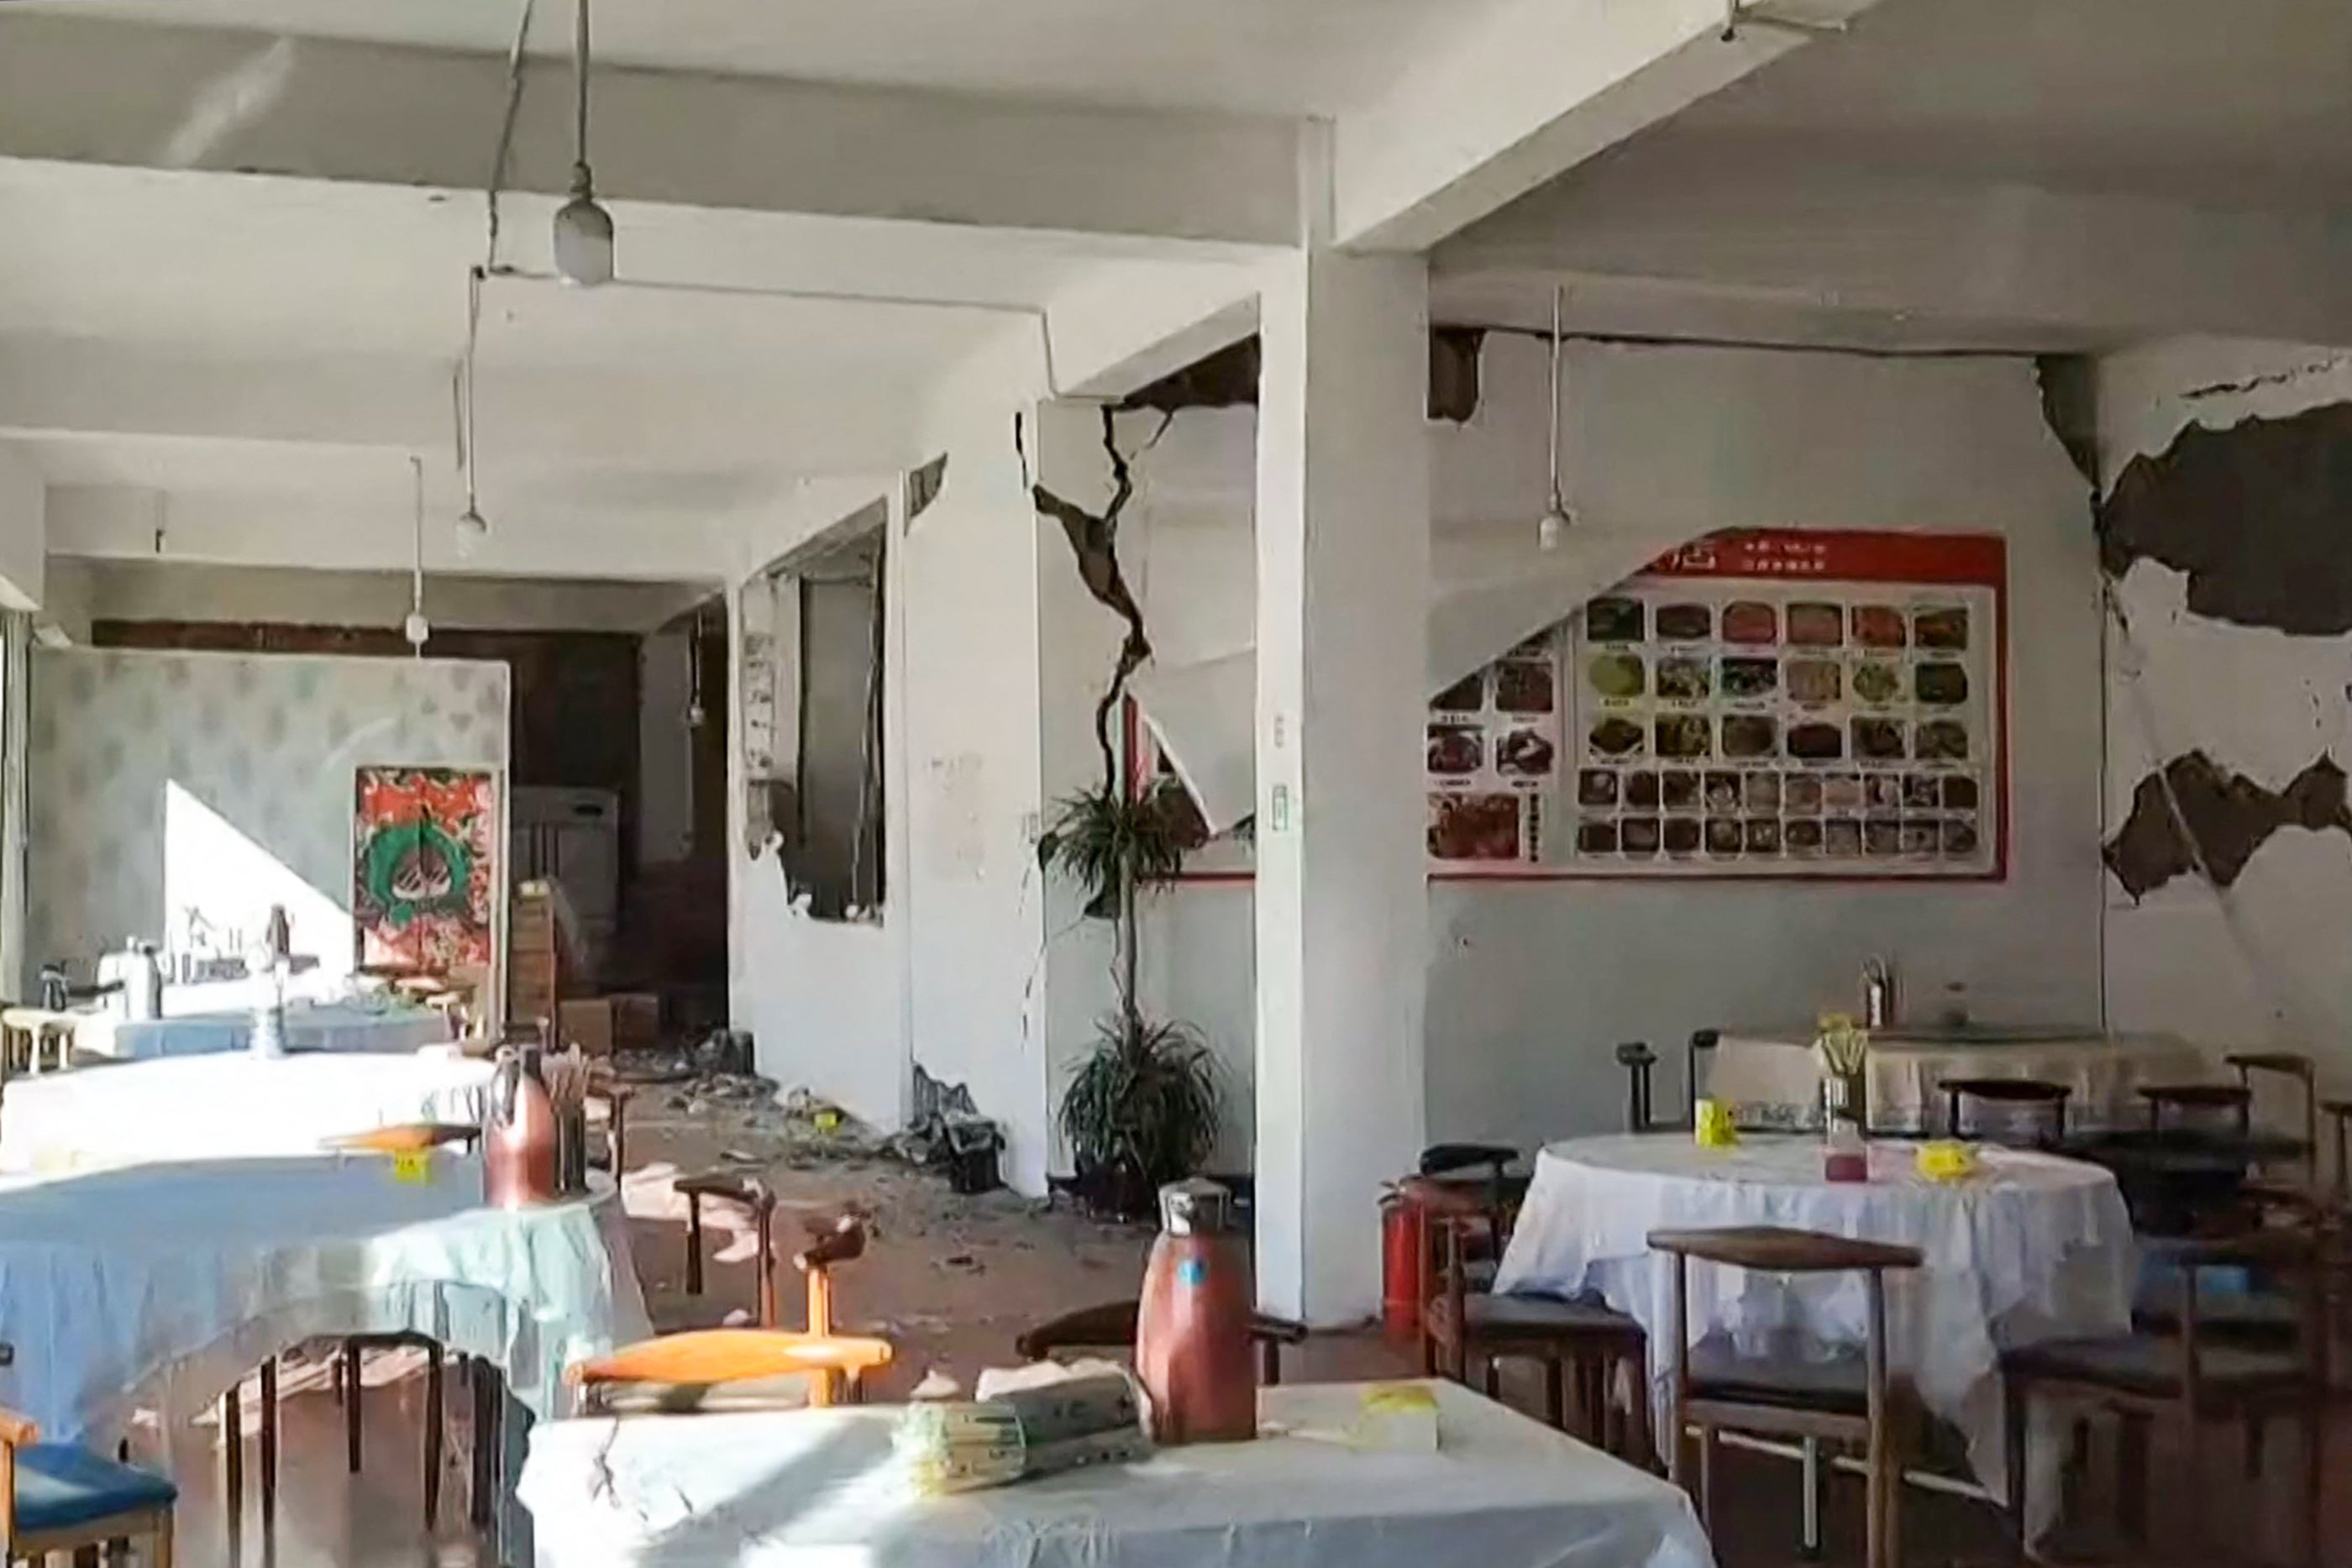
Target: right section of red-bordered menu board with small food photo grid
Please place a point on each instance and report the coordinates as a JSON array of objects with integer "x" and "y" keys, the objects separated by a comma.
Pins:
[{"x": 1789, "y": 704}]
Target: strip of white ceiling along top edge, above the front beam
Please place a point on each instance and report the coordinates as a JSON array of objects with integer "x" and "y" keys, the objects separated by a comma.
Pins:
[{"x": 1285, "y": 58}]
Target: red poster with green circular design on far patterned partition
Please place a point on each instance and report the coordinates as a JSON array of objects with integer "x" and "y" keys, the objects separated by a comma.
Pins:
[{"x": 425, "y": 880}]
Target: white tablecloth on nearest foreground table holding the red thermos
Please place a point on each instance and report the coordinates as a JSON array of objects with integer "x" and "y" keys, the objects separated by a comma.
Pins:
[{"x": 820, "y": 1487}]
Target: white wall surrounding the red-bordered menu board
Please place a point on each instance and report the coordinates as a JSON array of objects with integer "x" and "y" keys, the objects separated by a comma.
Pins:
[{"x": 1532, "y": 986}]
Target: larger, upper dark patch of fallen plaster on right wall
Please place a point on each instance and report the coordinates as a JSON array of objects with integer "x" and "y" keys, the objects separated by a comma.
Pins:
[{"x": 2257, "y": 516}]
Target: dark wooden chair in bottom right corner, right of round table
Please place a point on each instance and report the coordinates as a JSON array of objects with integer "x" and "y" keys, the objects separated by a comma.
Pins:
[{"x": 2186, "y": 1379}]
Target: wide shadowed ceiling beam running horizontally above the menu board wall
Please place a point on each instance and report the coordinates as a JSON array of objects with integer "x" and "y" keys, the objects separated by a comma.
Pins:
[{"x": 1843, "y": 239}]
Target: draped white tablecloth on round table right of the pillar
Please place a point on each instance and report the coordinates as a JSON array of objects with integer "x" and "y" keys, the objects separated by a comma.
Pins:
[{"x": 2029, "y": 1249}]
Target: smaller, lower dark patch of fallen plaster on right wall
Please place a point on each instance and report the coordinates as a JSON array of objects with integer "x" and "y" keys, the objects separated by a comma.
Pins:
[{"x": 2229, "y": 817}]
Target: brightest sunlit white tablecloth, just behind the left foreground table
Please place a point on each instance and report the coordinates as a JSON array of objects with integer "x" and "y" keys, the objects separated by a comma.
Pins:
[{"x": 227, "y": 1106}]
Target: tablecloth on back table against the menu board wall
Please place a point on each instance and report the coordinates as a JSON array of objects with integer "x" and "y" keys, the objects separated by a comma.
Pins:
[{"x": 1770, "y": 1073}]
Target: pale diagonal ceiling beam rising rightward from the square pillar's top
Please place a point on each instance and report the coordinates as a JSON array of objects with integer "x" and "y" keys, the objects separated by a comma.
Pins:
[{"x": 1530, "y": 91}]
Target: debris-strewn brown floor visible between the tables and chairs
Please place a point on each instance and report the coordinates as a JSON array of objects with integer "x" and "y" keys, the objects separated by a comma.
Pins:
[{"x": 954, "y": 1280}]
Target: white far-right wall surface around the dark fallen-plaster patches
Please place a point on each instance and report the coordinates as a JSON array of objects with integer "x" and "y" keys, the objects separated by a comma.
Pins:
[{"x": 2261, "y": 965}]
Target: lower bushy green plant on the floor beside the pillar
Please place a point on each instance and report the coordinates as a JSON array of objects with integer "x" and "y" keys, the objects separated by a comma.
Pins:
[{"x": 1142, "y": 1111}]
